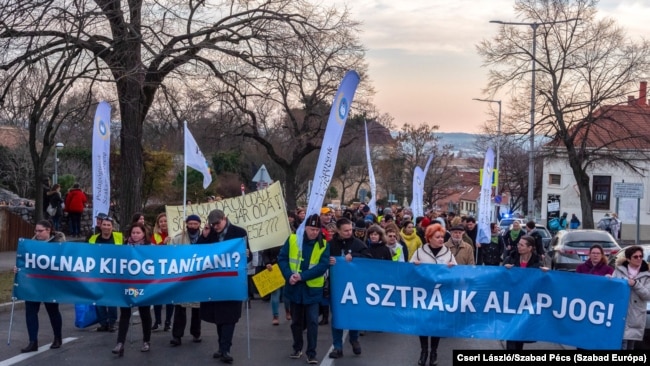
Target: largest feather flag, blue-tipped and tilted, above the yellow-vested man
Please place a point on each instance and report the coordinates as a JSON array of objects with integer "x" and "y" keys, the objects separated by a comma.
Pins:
[{"x": 330, "y": 147}]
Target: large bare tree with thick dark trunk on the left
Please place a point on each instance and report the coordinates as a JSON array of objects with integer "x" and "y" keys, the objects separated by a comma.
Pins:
[{"x": 141, "y": 44}]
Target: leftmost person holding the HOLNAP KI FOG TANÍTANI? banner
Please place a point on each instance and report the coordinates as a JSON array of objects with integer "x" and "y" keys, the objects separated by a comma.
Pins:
[{"x": 43, "y": 232}]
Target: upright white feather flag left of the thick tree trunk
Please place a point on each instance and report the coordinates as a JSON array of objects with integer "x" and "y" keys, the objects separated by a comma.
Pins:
[{"x": 101, "y": 159}]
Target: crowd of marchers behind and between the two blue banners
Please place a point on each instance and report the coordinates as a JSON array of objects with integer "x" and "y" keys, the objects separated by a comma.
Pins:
[{"x": 334, "y": 234}]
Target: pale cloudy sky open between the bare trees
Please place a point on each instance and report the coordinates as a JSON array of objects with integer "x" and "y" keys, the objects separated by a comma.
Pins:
[{"x": 423, "y": 60}]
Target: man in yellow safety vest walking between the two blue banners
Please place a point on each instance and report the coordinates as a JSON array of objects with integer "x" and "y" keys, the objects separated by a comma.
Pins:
[{"x": 306, "y": 279}]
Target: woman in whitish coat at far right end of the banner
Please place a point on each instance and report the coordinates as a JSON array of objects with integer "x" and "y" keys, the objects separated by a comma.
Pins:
[{"x": 635, "y": 270}]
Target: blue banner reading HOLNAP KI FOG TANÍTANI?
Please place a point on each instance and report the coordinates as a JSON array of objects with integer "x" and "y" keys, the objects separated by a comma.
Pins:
[{"x": 125, "y": 275}]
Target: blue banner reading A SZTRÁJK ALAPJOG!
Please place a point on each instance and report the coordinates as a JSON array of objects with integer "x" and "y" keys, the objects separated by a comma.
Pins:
[{"x": 521, "y": 304}]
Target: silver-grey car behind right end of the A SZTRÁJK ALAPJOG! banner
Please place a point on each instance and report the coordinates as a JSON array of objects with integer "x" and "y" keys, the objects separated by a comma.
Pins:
[{"x": 569, "y": 248}]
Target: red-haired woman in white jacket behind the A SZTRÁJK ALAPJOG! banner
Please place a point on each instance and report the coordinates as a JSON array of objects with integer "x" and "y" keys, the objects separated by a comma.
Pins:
[{"x": 434, "y": 252}]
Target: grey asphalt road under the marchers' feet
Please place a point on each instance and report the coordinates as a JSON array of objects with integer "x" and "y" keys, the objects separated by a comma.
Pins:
[{"x": 270, "y": 345}]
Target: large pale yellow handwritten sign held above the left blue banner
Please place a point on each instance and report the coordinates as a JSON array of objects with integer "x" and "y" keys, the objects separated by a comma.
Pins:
[{"x": 262, "y": 213}]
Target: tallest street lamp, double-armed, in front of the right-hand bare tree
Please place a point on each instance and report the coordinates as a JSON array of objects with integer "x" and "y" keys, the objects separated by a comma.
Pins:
[{"x": 531, "y": 155}]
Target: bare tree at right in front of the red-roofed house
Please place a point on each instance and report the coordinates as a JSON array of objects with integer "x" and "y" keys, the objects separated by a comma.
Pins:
[{"x": 583, "y": 64}]
